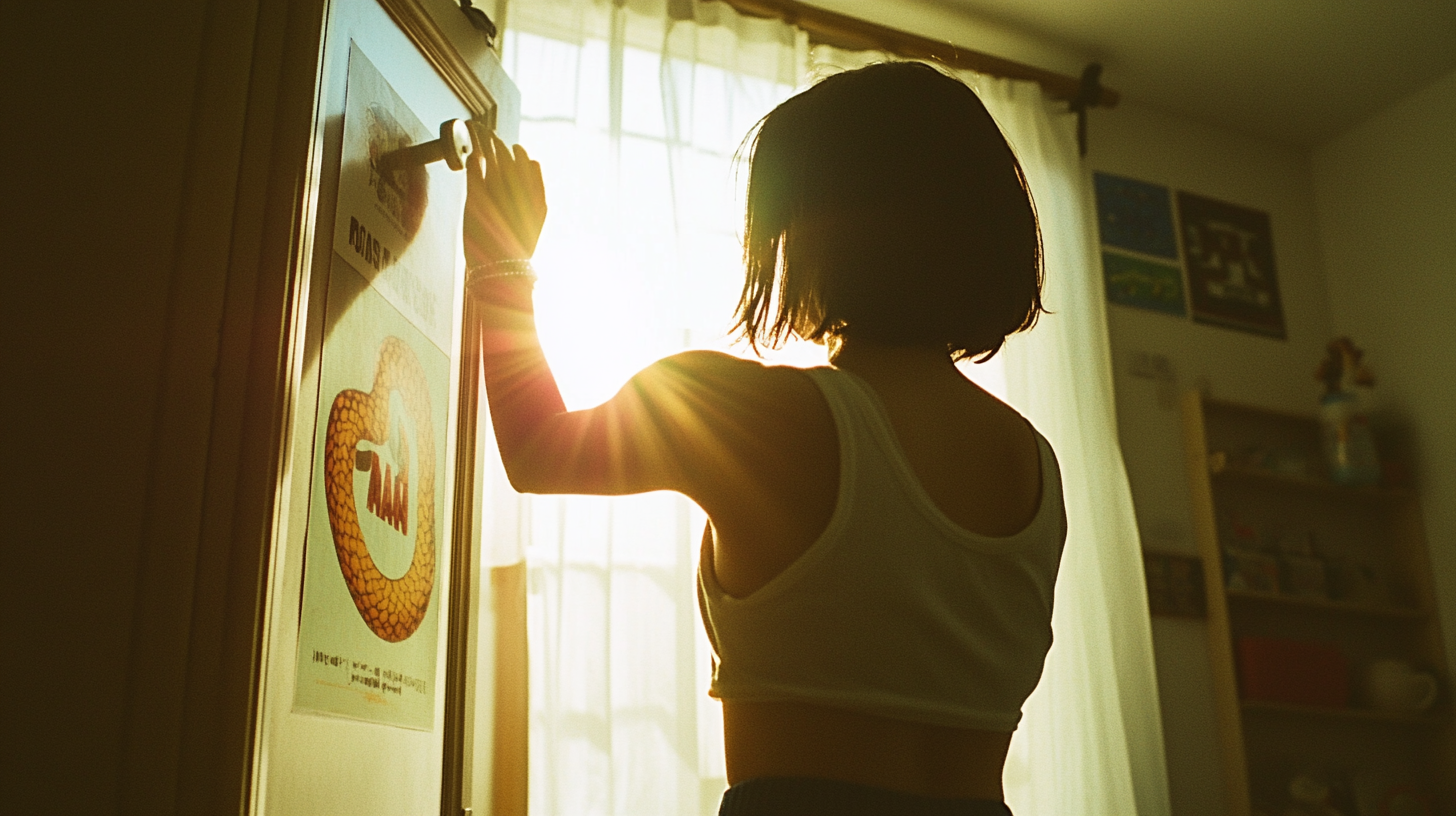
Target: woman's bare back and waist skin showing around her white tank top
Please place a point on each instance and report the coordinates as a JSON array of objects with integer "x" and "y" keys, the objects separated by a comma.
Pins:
[{"x": 978, "y": 461}]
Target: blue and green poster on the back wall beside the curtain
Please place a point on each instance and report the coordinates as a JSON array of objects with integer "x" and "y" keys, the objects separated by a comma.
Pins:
[{"x": 1139, "y": 247}]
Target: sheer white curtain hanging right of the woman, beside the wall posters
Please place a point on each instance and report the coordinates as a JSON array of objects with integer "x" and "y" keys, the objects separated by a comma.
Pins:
[{"x": 1091, "y": 741}]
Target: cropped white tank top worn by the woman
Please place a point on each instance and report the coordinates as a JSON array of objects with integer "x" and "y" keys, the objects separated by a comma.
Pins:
[{"x": 895, "y": 611}]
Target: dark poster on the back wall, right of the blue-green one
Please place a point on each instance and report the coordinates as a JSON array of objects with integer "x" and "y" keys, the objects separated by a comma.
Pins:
[{"x": 1230, "y": 257}]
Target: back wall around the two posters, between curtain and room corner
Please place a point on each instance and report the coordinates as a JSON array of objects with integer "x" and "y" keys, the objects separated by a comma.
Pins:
[{"x": 1145, "y": 145}]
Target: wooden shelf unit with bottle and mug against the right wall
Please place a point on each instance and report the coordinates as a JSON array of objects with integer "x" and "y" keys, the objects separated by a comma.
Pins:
[{"x": 1265, "y": 744}]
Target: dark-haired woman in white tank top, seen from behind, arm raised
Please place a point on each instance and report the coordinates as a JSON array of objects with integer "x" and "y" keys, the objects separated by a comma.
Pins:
[{"x": 883, "y": 534}]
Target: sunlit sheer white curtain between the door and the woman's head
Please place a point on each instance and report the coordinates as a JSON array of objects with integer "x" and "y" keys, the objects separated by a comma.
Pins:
[{"x": 636, "y": 111}]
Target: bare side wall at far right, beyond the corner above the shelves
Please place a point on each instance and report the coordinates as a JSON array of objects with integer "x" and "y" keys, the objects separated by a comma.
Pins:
[{"x": 1387, "y": 199}]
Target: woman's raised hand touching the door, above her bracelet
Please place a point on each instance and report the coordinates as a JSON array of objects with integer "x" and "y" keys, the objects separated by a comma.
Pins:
[{"x": 506, "y": 202}]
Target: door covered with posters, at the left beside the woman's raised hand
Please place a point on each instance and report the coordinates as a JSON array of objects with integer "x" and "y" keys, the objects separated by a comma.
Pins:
[{"x": 368, "y": 700}]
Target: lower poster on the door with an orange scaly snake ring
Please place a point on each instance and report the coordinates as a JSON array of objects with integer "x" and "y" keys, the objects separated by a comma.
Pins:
[{"x": 369, "y": 626}]
